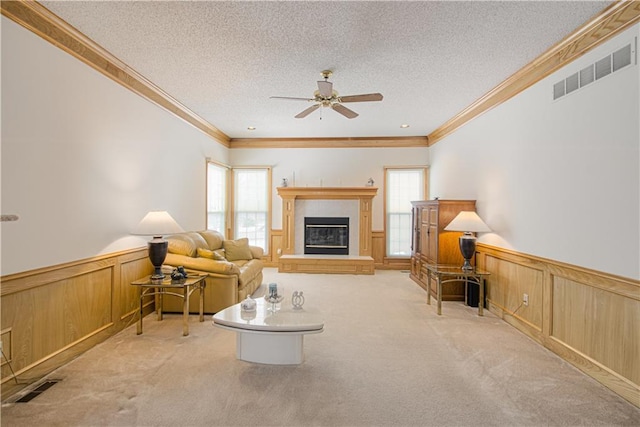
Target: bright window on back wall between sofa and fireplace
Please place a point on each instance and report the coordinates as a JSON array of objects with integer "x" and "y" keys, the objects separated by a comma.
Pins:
[{"x": 251, "y": 205}]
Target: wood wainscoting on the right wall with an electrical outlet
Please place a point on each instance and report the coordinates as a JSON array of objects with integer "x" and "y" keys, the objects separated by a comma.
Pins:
[{"x": 590, "y": 319}]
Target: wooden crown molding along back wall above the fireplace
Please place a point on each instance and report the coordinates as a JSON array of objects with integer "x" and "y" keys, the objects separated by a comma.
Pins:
[{"x": 360, "y": 142}]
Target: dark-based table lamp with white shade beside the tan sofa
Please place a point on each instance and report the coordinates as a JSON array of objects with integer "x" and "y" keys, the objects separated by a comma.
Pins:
[{"x": 157, "y": 224}]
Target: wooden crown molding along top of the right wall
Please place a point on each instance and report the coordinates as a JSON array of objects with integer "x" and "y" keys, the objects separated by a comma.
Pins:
[{"x": 611, "y": 21}]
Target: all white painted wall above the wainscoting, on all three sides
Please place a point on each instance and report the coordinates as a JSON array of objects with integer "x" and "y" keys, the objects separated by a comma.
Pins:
[{"x": 83, "y": 159}]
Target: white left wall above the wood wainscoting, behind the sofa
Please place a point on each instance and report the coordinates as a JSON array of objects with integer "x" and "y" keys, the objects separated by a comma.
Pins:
[{"x": 84, "y": 159}]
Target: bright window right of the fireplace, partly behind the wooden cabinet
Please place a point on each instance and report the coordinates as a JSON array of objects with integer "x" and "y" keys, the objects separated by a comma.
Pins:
[{"x": 402, "y": 186}]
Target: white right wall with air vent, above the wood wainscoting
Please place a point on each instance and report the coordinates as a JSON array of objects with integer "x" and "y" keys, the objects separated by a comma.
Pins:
[{"x": 557, "y": 179}]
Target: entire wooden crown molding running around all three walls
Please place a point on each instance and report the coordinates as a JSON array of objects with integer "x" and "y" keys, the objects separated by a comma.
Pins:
[{"x": 44, "y": 23}]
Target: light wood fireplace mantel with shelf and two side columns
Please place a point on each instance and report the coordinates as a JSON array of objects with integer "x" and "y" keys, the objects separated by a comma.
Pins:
[{"x": 290, "y": 194}]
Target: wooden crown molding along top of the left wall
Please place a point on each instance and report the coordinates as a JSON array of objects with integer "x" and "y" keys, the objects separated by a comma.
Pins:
[{"x": 44, "y": 23}]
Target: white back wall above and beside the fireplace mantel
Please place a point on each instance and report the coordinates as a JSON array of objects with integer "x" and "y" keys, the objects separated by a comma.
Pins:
[{"x": 341, "y": 167}]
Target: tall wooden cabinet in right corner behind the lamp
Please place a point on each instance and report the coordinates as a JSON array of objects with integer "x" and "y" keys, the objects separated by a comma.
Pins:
[{"x": 431, "y": 244}]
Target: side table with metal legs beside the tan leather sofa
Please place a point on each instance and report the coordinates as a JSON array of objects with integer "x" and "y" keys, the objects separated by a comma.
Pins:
[{"x": 160, "y": 288}]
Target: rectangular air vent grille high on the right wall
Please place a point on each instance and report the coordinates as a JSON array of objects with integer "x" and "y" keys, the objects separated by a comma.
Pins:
[{"x": 607, "y": 65}]
